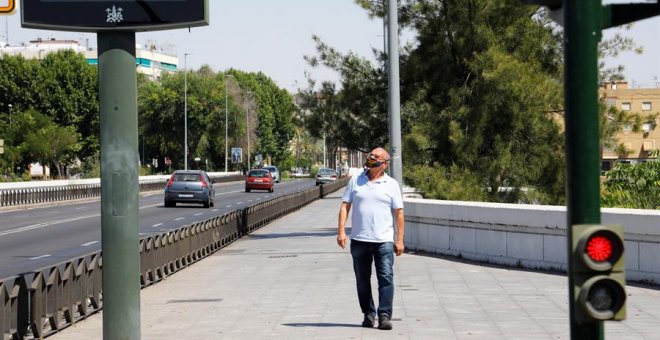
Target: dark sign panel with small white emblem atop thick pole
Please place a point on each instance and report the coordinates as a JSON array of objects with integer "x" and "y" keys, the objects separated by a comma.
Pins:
[{"x": 117, "y": 15}]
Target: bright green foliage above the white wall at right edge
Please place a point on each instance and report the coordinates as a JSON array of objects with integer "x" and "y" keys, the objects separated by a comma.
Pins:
[{"x": 632, "y": 186}]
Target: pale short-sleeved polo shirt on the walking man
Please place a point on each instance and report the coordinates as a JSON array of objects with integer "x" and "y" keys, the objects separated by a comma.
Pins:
[{"x": 372, "y": 204}]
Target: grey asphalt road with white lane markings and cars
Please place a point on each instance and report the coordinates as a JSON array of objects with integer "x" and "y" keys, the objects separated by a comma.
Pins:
[{"x": 38, "y": 237}]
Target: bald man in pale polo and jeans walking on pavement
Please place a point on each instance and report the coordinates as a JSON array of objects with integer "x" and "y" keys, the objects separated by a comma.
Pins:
[{"x": 378, "y": 206}]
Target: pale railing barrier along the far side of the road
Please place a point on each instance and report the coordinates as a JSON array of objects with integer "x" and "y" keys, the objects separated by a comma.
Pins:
[{"x": 36, "y": 195}]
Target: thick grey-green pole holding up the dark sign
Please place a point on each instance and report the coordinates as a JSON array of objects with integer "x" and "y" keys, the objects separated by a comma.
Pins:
[{"x": 119, "y": 185}]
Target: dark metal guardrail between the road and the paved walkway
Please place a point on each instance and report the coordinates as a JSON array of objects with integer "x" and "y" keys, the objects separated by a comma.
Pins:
[{"x": 40, "y": 303}]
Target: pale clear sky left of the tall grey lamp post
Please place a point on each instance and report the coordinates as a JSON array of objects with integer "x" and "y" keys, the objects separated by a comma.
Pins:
[{"x": 251, "y": 35}]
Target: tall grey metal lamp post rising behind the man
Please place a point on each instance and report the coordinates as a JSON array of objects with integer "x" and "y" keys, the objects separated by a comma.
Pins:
[{"x": 393, "y": 93}]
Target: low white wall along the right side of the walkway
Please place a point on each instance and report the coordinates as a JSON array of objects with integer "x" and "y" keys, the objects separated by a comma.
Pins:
[{"x": 529, "y": 236}]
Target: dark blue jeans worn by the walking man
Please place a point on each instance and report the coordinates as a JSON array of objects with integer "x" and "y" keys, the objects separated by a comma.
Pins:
[{"x": 382, "y": 254}]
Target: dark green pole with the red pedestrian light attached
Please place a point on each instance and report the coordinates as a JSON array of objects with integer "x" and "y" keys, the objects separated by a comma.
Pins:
[{"x": 582, "y": 24}]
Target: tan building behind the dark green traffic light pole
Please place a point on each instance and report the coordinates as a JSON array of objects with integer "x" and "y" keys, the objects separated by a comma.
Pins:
[{"x": 639, "y": 146}]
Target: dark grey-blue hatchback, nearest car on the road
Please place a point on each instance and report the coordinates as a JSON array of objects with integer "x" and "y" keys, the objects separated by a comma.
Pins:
[{"x": 189, "y": 186}]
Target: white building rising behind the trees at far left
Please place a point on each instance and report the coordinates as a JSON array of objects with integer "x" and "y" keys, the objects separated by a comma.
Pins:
[{"x": 150, "y": 60}]
